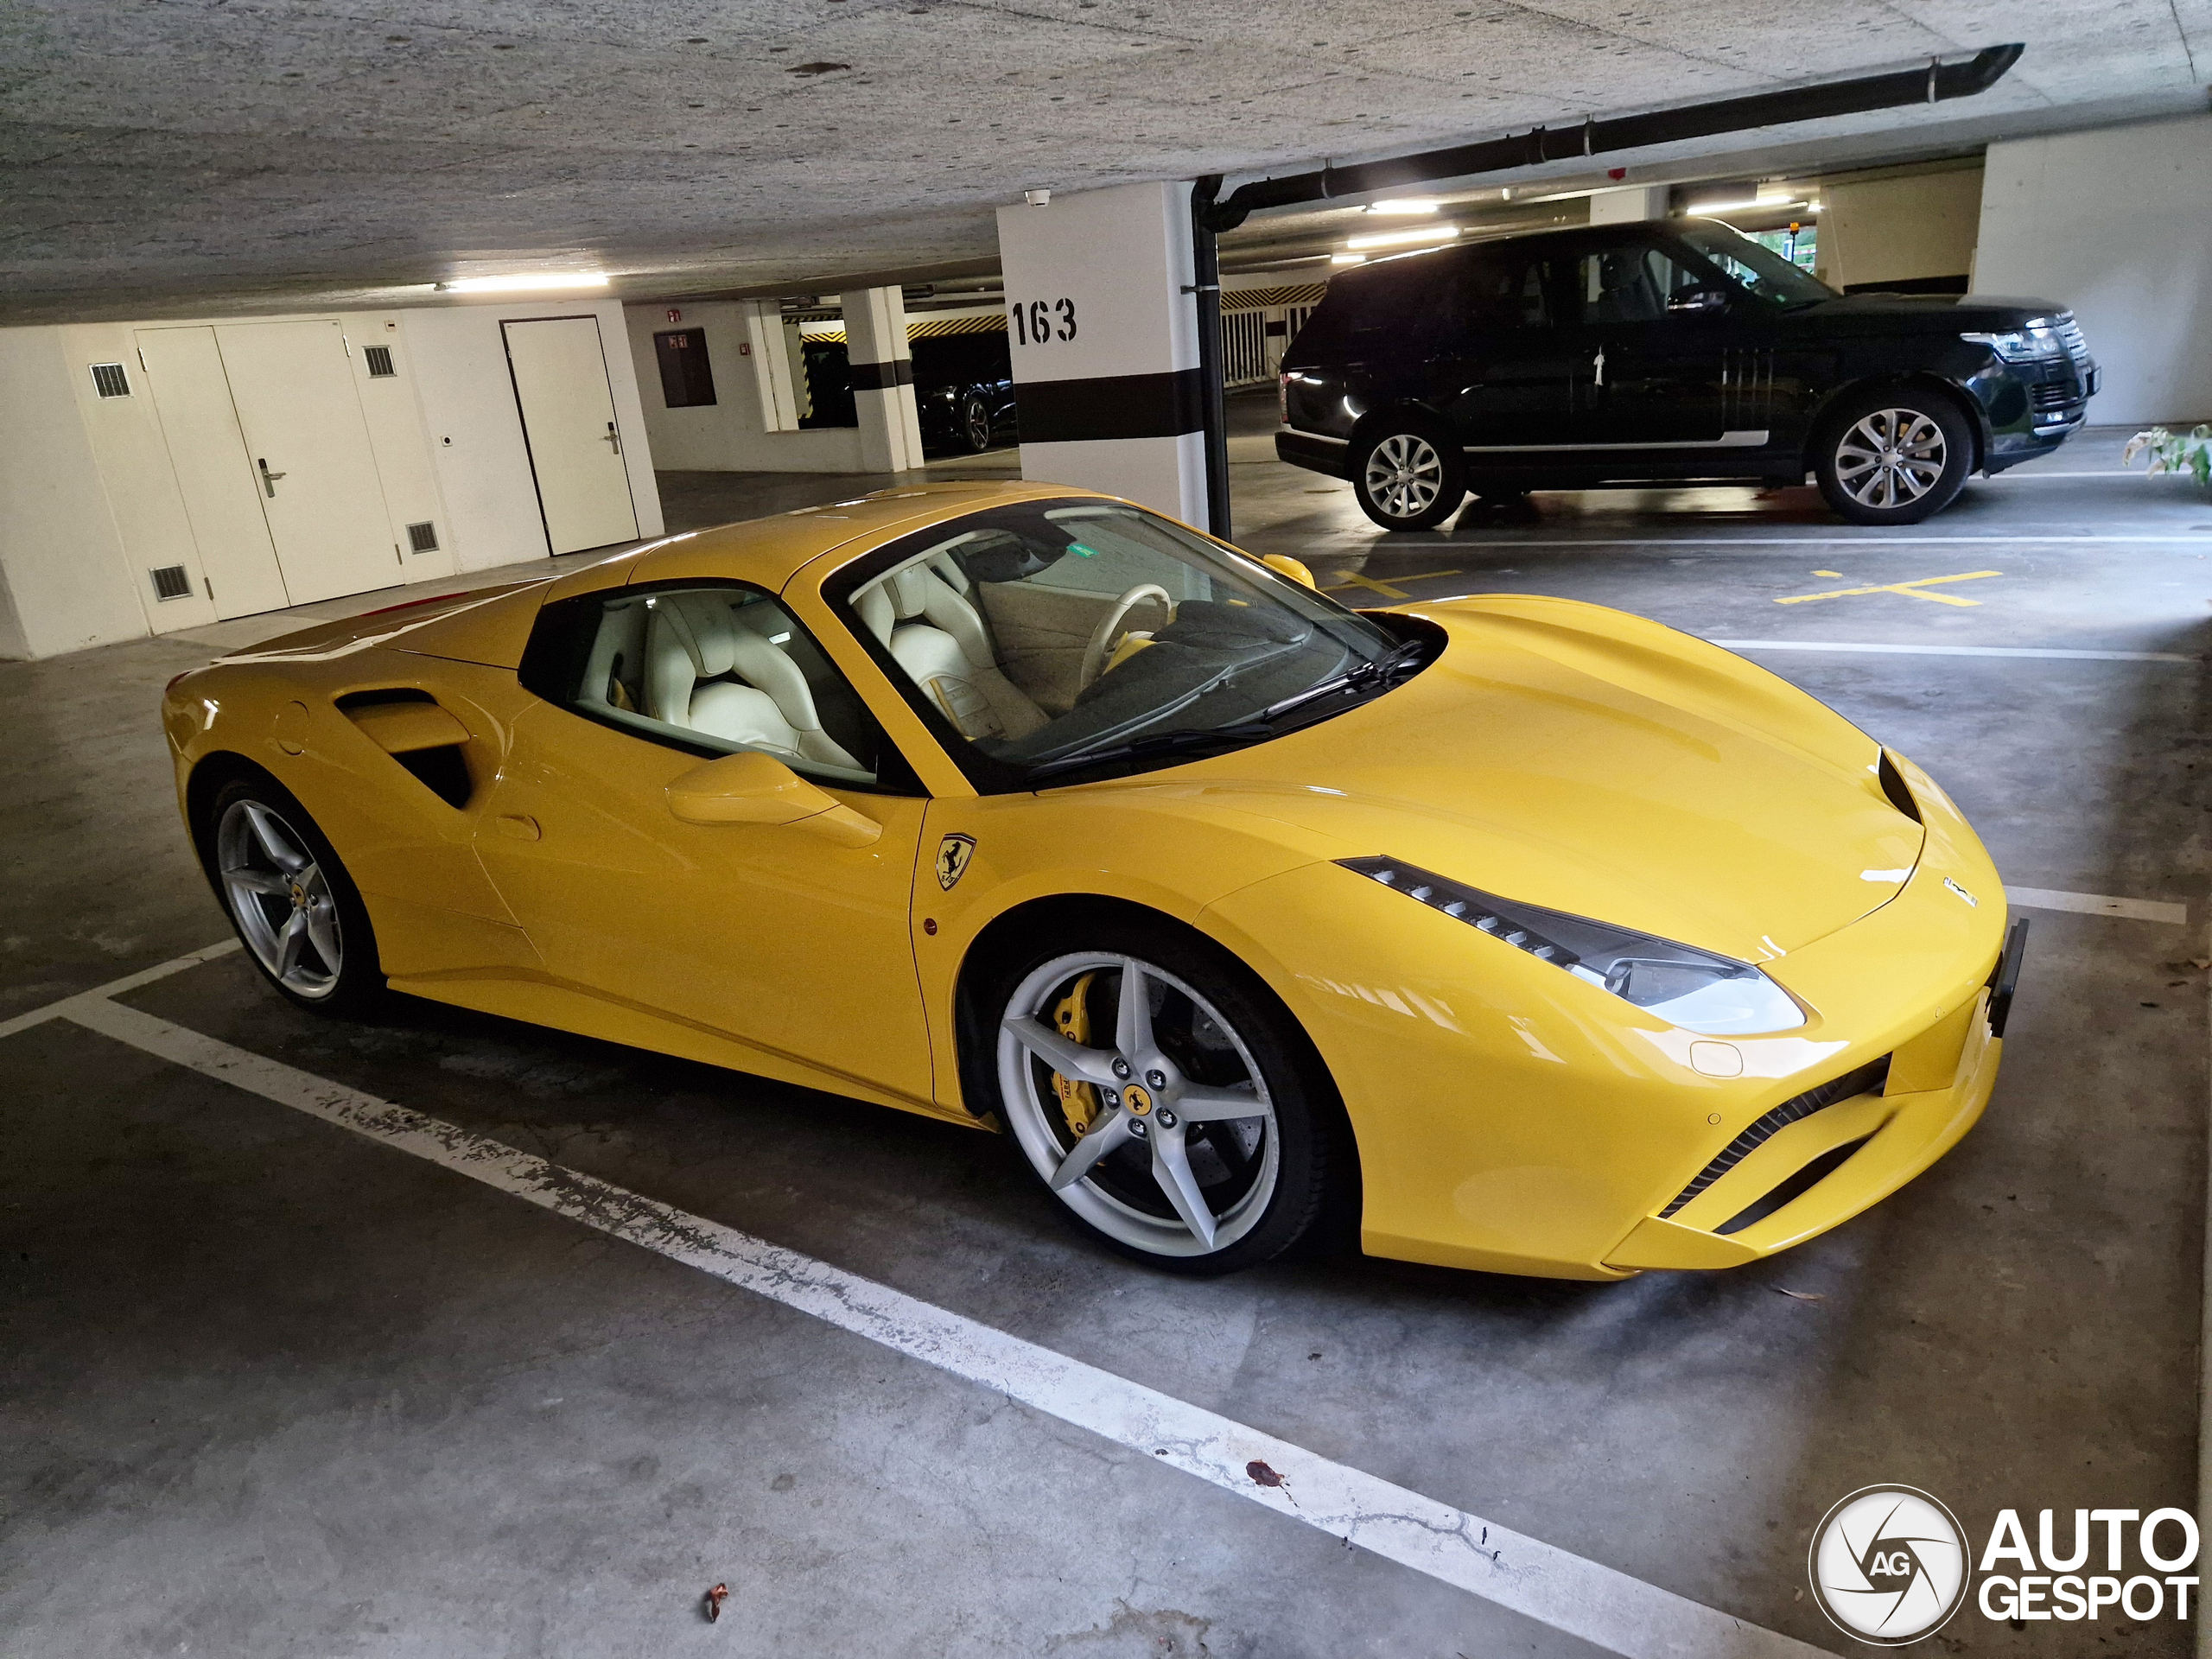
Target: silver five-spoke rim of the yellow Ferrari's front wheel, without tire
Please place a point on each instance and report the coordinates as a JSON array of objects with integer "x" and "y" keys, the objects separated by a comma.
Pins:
[{"x": 1173, "y": 1165}]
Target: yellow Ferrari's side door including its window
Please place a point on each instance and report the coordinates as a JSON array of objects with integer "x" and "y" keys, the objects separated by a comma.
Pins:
[{"x": 775, "y": 935}]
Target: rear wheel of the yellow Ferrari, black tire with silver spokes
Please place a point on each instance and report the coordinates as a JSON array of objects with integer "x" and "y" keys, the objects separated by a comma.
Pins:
[{"x": 322, "y": 893}]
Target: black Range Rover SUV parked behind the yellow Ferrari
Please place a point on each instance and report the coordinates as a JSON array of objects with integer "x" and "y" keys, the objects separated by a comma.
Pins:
[{"x": 1651, "y": 353}]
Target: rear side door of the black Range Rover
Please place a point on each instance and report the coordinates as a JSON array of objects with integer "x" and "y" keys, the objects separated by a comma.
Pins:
[{"x": 1507, "y": 362}]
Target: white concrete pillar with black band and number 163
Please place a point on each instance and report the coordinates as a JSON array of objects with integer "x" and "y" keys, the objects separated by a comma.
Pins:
[{"x": 1107, "y": 344}]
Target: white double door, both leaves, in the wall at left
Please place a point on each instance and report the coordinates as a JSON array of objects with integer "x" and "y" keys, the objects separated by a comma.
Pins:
[{"x": 273, "y": 459}]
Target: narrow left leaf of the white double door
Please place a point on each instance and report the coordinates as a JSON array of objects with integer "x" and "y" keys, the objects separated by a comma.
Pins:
[{"x": 220, "y": 497}]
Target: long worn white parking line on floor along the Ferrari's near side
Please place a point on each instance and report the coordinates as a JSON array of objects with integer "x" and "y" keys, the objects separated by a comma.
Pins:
[{"x": 1536, "y": 1580}]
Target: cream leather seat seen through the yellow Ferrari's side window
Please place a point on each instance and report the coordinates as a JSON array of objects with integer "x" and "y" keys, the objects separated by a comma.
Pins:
[{"x": 691, "y": 645}]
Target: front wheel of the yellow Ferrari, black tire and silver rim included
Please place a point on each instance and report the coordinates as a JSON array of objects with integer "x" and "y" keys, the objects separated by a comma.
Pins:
[{"x": 1165, "y": 1098}]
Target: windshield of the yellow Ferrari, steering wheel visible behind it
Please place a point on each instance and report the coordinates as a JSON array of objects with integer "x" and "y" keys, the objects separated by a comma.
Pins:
[{"x": 1050, "y": 638}]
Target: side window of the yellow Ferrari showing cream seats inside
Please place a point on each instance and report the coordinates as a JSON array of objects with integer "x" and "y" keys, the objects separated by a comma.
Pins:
[{"x": 718, "y": 669}]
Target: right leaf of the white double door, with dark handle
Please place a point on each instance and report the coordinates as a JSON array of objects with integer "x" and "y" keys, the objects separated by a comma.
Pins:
[{"x": 309, "y": 455}]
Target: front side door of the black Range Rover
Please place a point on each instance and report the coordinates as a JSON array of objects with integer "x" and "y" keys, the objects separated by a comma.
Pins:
[{"x": 1656, "y": 348}]
